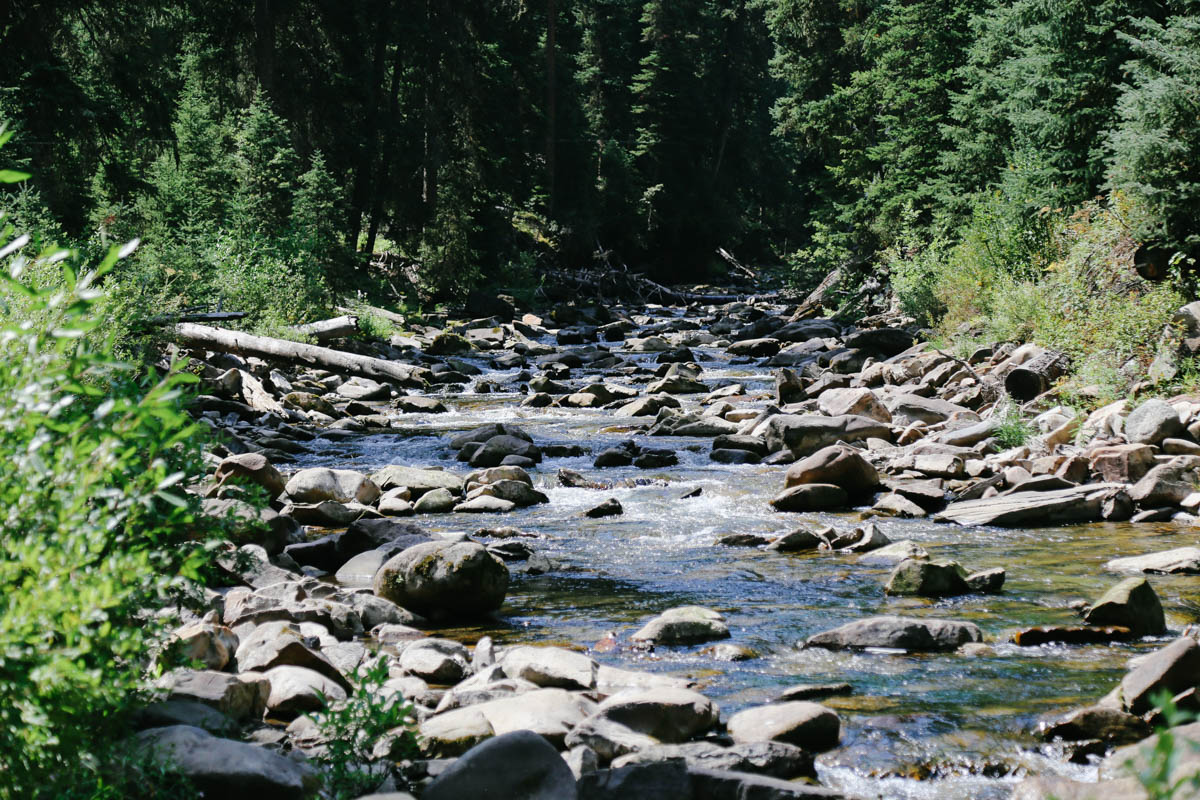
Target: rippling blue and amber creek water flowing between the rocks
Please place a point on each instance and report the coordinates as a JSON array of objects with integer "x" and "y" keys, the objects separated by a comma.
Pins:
[{"x": 917, "y": 726}]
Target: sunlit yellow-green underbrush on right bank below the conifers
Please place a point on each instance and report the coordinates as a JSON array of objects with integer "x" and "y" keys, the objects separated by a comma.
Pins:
[{"x": 1064, "y": 281}]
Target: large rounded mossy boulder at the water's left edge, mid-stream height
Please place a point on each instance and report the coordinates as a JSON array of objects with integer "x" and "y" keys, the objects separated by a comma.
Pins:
[{"x": 445, "y": 580}]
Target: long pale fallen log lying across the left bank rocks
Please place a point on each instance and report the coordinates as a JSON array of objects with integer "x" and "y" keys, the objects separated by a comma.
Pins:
[{"x": 272, "y": 350}]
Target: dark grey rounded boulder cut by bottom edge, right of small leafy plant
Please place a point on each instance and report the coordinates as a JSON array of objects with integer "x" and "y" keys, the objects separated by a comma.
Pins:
[{"x": 518, "y": 766}]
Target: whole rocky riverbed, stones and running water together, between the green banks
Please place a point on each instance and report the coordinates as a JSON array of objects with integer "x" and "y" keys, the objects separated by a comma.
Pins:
[{"x": 712, "y": 551}]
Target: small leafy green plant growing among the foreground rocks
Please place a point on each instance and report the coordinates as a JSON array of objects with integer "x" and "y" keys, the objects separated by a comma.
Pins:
[{"x": 356, "y": 729}]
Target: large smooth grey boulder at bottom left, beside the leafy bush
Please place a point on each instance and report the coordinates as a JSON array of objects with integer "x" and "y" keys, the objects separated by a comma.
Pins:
[{"x": 223, "y": 768}]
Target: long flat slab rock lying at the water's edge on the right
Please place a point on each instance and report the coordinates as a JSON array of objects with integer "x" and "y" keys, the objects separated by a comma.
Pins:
[{"x": 1025, "y": 509}]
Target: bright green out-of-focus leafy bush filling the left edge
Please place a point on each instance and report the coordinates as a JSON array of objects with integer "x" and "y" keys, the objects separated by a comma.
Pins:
[{"x": 97, "y": 524}]
